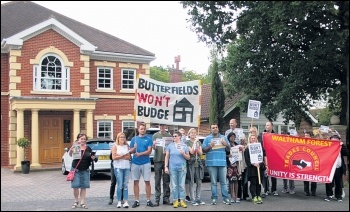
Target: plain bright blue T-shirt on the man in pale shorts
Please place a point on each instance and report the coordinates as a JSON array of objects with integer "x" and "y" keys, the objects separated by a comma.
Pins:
[{"x": 142, "y": 144}]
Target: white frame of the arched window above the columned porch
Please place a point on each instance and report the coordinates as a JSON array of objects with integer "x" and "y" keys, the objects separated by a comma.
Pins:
[{"x": 37, "y": 78}]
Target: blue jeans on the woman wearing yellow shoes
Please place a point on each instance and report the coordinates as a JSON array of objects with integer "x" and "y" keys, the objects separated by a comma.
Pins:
[{"x": 177, "y": 180}]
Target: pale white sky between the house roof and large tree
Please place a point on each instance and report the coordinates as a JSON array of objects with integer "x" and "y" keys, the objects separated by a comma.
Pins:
[{"x": 158, "y": 27}]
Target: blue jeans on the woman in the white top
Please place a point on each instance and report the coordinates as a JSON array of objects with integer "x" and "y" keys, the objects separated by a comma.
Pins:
[{"x": 122, "y": 176}]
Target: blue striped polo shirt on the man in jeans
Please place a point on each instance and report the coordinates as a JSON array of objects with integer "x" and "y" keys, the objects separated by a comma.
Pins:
[{"x": 215, "y": 157}]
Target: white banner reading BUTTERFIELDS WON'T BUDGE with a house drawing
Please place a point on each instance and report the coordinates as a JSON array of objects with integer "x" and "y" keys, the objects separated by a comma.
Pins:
[{"x": 168, "y": 103}]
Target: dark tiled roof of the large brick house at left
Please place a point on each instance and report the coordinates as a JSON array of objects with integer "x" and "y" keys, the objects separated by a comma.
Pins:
[{"x": 18, "y": 16}]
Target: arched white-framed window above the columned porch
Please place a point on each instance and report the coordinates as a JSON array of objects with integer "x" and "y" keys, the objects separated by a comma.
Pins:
[{"x": 51, "y": 75}]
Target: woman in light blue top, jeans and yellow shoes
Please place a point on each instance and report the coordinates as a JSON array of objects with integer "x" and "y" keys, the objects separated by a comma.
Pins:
[{"x": 175, "y": 165}]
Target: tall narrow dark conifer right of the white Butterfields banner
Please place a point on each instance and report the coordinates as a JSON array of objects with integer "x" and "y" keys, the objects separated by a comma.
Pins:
[{"x": 217, "y": 101}]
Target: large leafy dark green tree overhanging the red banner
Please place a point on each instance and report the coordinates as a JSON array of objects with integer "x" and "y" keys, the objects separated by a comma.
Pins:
[{"x": 285, "y": 54}]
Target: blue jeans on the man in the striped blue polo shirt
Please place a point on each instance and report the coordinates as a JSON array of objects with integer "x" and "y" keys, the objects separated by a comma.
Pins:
[{"x": 215, "y": 173}]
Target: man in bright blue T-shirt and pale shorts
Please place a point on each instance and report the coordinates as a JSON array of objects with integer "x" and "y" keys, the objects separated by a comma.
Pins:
[{"x": 141, "y": 147}]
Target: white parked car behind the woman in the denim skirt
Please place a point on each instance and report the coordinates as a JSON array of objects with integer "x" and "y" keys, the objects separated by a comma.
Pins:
[{"x": 102, "y": 148}]
